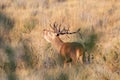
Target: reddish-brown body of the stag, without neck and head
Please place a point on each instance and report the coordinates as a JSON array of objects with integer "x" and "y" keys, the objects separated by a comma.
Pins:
[{"x": 73, "y": 51}]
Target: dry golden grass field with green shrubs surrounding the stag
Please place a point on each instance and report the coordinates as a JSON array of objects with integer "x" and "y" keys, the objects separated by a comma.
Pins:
[{"x": 25, "y": 55}]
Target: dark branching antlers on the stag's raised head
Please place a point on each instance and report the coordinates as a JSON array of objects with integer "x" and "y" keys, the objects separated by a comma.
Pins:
[{"x": 56, "y": 28}]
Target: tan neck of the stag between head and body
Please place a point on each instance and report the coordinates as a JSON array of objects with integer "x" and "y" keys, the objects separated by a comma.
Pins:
[{"x": 57, "y": 43}]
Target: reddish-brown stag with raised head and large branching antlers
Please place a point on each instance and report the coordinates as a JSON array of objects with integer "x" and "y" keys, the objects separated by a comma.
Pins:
[{"x": 70, "y": 51}]
